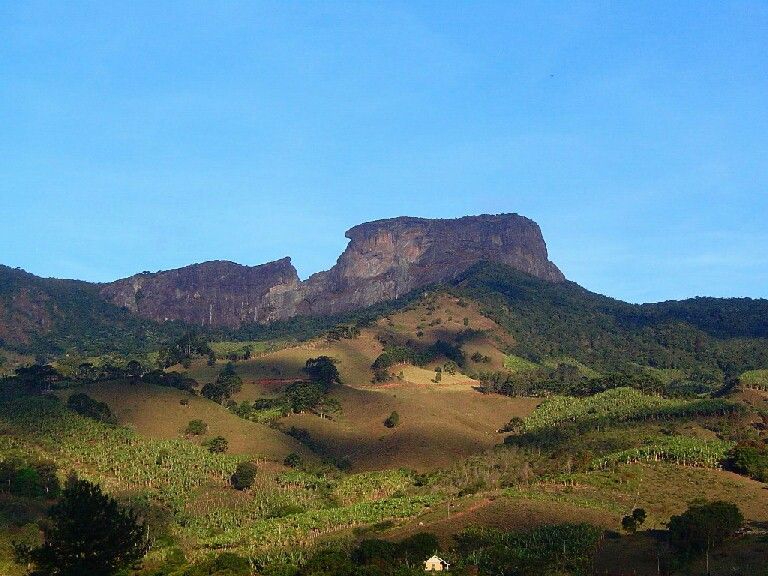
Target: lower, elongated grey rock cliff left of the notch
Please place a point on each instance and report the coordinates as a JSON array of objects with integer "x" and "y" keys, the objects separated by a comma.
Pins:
[{"x": 215, "y": 293}]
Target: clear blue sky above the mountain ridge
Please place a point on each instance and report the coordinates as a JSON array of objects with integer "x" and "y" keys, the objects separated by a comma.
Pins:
[{"x": 150, "y": 135}]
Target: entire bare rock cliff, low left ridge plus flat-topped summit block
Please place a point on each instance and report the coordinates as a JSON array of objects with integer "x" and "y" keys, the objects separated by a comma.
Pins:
[{"x": 384, "y": 260}]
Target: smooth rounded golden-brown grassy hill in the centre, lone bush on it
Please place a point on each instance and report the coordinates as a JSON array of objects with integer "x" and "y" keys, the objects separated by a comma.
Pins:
[{"x": 437, "y": 425}]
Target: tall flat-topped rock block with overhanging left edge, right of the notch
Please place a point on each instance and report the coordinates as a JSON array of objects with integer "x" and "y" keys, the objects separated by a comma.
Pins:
[{"x": 388, "y": 258}]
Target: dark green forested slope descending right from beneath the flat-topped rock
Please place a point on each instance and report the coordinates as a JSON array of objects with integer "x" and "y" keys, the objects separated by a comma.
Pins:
[{"x": 551, "y": 320}]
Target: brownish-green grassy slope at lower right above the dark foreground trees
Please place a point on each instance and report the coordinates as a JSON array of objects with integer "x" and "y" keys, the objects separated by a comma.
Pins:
[{"x": 598, "y": 497}]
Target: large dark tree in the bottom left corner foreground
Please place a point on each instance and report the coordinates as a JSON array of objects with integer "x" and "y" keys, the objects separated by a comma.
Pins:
[{"x": 89, "y": 533}]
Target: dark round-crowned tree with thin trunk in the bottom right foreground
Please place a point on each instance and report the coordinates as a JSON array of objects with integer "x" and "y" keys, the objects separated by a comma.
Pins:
[{"x": 704, "y": 526}]
